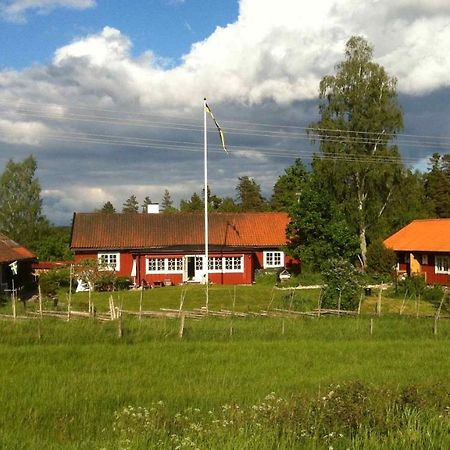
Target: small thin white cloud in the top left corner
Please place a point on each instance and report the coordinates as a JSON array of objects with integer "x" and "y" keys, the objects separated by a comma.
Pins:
[{"x": 15, "y": 10}]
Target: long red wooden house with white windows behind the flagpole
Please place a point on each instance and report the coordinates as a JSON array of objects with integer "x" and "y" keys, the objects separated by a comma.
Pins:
[{"x": 169, "y": 248}]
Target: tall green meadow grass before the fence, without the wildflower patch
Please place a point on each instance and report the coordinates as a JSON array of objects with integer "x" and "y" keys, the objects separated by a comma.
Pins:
[{"x": 62, "y": 382}]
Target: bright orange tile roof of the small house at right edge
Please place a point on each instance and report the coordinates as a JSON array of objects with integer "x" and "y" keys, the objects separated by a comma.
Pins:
[{"x": 431, "y": 235}]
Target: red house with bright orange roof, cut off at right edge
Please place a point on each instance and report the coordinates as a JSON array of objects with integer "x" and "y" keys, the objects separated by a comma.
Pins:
[{"x": 423, "y": 247}]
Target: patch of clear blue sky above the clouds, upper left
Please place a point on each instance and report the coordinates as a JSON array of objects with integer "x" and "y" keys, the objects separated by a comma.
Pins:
[{"x": 167, "y": 27}]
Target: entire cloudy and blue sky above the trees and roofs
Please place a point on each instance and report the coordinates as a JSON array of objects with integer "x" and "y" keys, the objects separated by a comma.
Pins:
[{"x": 108, "y": 95}]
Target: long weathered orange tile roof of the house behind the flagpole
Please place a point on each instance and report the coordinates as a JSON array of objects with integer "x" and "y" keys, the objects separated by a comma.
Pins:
[{"x": 143, "y": 231}]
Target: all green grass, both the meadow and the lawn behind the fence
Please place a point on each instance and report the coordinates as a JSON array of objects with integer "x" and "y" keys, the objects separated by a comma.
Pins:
[{"x": 77, "y": 385}]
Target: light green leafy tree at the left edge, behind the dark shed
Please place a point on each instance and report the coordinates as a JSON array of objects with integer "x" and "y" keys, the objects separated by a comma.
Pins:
[{"x": 21, "y": 216}]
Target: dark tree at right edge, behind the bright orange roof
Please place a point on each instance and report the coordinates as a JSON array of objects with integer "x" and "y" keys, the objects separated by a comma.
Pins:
[{"x": 437, "y": 184}]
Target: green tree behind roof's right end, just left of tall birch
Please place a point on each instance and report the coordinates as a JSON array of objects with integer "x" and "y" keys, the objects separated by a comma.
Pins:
[{"x": 287, "y": 189}]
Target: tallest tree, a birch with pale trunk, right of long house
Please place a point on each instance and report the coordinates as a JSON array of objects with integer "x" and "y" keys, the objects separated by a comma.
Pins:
[{"x": 359, "y": 116}]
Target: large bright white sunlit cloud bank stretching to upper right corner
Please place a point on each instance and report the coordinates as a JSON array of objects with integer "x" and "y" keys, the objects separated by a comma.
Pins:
[{"x": 275, "y": 51}]
